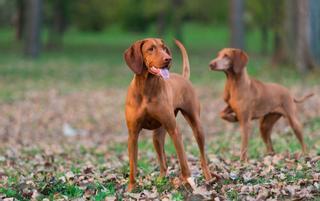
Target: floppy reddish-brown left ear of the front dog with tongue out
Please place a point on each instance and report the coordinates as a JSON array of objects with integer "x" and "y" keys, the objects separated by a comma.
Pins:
[{"x": 133, "y": 57}]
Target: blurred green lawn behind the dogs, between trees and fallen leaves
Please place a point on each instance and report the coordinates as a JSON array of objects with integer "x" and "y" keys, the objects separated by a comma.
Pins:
[{"x": 94, "y": 60}]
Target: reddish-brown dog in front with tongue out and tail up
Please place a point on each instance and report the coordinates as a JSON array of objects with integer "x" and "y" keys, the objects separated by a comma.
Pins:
[{"x": 154, "y": 98}]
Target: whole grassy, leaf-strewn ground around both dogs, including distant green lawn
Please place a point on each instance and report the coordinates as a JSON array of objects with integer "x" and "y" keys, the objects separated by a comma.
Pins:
[{"x": 63, "y": 133}]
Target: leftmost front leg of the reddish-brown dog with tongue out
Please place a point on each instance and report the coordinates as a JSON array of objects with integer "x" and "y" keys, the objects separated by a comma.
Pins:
[{"x": 133, "y": 154}]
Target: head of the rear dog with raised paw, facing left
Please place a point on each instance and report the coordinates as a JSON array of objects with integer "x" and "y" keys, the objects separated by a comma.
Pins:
[{"x": 229, "y": 59}]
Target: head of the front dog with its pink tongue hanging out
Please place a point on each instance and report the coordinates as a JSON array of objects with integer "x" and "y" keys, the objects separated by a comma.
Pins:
[{"x": 150, "y": 55}]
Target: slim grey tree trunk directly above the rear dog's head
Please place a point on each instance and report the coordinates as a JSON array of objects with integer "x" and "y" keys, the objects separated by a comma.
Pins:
[{"x": 236, "y": 23}]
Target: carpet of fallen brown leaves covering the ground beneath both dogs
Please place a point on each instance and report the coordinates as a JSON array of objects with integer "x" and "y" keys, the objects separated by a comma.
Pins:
[{"x": 72, "y": 146}]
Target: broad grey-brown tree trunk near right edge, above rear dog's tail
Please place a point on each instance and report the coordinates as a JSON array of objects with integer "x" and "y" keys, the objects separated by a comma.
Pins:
[{"x": 303, "y": 57}]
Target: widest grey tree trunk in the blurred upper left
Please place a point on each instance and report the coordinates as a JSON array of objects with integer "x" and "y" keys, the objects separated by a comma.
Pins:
[{"x": 33, "y": 27}]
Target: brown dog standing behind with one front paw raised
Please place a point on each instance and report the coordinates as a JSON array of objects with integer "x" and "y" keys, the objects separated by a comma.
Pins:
[{"x": 249, "y": 99}]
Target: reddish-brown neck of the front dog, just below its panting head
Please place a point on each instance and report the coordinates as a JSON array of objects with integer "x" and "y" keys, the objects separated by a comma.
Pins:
[{"x": 148, "y": 84}]
